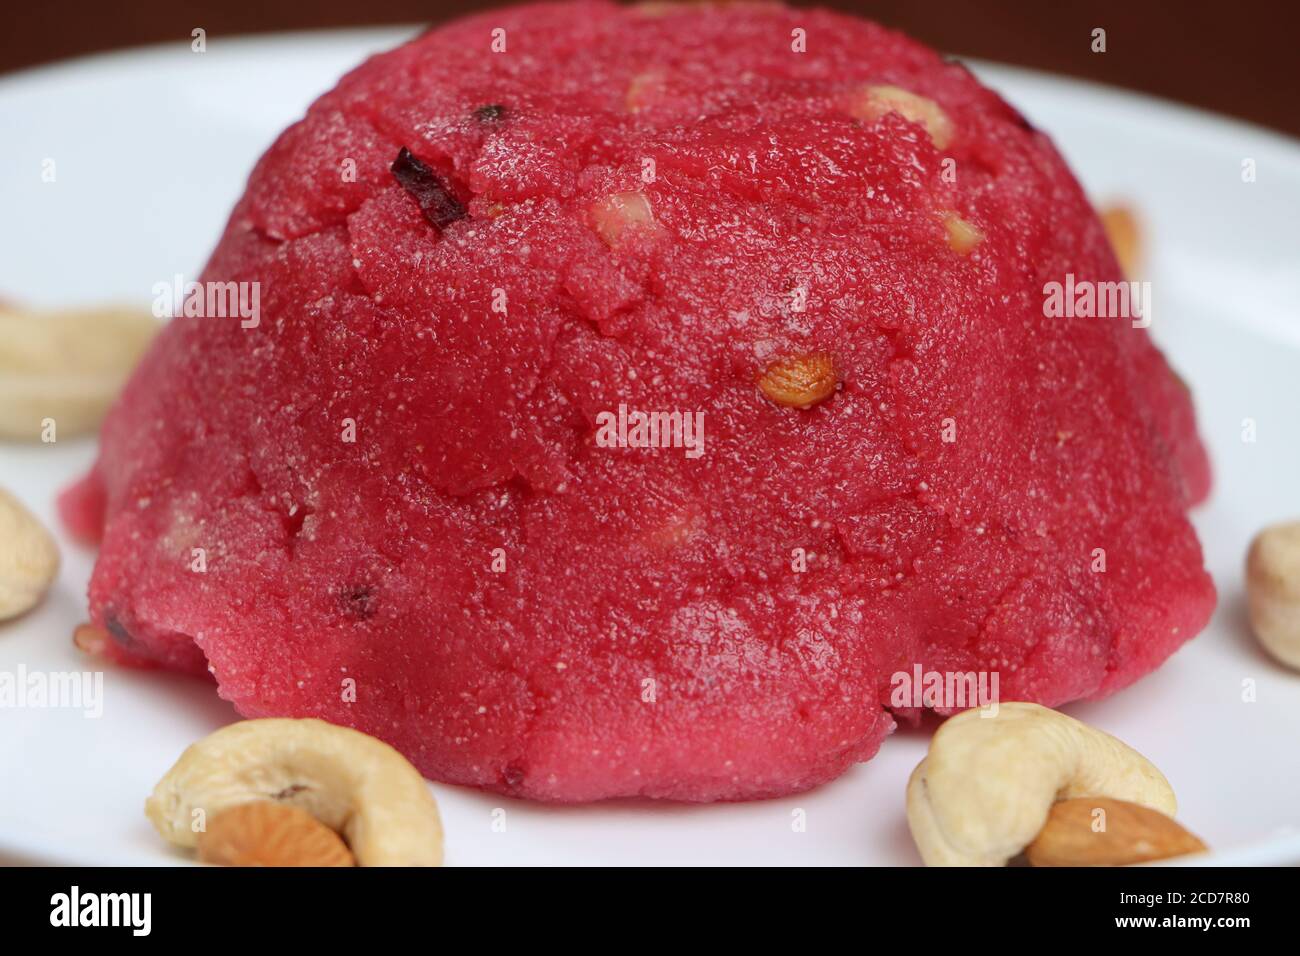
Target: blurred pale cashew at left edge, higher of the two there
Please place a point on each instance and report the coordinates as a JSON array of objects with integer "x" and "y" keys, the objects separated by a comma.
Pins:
[{"x": 67, "y": 367}]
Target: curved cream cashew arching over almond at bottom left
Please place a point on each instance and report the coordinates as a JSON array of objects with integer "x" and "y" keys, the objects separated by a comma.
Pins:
[{"x": 350, "y": 782}]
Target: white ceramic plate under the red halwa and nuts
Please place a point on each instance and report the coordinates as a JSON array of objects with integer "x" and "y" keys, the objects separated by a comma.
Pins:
[{"x": 151, "y": 150}]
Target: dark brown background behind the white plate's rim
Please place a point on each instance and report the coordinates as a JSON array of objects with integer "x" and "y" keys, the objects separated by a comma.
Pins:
[{"x": 1237, "y": 58}]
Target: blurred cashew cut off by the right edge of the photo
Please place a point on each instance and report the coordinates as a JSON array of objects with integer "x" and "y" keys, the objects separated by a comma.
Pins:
[{"x": 1273, "y": 591}]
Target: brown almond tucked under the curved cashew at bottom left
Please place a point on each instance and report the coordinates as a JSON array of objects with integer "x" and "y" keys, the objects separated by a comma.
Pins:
[{"x": 270, "y": 834}]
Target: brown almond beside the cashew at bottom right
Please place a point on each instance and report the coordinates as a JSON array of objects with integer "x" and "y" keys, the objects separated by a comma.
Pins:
[{"x": 1100, "y": 832}]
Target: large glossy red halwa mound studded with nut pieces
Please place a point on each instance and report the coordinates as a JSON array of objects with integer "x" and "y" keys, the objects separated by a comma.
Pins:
[{"x": 393, "y": 504}]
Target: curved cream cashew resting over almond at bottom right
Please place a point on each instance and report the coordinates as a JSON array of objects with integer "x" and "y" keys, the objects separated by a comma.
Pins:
[{"x": 985, "y": 790}]
